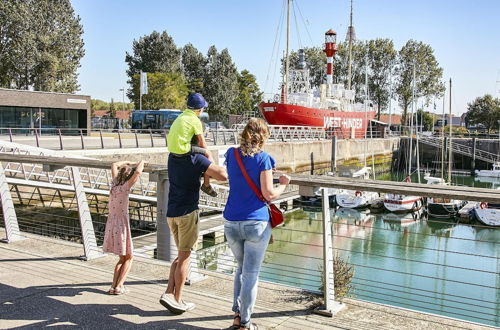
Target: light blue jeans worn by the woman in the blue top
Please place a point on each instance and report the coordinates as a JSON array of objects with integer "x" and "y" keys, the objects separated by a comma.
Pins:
[{"x": 248, "y": 239}]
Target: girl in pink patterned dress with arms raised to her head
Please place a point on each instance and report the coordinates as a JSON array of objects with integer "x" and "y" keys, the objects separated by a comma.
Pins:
[{"x": 117, "y": 236}]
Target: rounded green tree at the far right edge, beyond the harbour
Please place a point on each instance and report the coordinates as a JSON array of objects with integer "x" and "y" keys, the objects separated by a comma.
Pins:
[{"x": 484, "y": 110}]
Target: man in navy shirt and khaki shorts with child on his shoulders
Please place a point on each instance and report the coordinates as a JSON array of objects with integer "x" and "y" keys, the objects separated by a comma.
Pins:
[{"x": 186, "y": 165}]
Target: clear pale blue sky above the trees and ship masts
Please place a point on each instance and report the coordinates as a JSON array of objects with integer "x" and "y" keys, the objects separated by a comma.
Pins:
[{"x": 465, "y": 36}]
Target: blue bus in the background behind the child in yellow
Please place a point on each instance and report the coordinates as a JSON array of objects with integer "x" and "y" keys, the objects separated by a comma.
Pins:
[{"x": 158, "y": 119}]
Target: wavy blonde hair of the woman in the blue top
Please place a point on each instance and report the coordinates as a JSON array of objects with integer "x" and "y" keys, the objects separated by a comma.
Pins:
[{"x": 253, "y": 137}]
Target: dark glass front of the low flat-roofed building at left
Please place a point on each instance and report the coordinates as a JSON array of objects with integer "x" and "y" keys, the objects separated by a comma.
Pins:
[{"x": 22, "y": 117}]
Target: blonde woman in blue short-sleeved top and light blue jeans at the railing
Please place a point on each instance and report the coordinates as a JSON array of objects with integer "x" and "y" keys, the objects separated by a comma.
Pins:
[{"x": 247, "y": 228}]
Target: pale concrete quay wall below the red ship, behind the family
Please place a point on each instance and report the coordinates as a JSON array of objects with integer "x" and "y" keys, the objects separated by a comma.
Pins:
[{"x": 290, "y": 156}]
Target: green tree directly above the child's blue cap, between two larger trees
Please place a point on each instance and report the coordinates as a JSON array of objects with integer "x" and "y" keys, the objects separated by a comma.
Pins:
[{"x": 193, "y": 67}]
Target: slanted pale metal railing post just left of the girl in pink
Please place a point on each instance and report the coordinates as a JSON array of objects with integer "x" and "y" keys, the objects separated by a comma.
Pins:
[{"x": 88, "y": 234}]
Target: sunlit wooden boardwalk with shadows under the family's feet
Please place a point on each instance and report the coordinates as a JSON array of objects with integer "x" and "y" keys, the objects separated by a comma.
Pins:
[{"x": 43, "y": 283}]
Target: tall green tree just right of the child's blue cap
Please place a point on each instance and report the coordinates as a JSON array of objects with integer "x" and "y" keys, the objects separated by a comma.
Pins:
[{"x": 221, "y": 84}]
